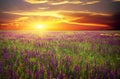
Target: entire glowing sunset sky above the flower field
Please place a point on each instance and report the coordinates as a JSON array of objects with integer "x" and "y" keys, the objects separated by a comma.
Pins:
[{"x": 60, "y": 14}]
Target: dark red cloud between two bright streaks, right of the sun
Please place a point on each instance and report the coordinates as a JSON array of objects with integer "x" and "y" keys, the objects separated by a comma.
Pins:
[{"x": 89, "y": 17}]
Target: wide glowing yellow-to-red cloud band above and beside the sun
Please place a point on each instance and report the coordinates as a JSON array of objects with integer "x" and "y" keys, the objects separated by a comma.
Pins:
[{"x": 52, "y": 18}]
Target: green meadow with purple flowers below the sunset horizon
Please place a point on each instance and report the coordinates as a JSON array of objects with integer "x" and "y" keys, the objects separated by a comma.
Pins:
[{"x": 60, "y": 55}]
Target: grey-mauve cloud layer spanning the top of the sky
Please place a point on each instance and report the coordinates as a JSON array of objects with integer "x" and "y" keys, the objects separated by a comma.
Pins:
[{"x": 106, "y": 6}]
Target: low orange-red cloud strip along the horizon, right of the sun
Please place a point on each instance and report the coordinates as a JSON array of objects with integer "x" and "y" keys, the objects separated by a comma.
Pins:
[{"x": 79, "y": 26}]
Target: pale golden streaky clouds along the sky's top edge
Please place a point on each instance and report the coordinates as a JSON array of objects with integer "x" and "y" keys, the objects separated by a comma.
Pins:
[{"x": 61, "y": 2}]
